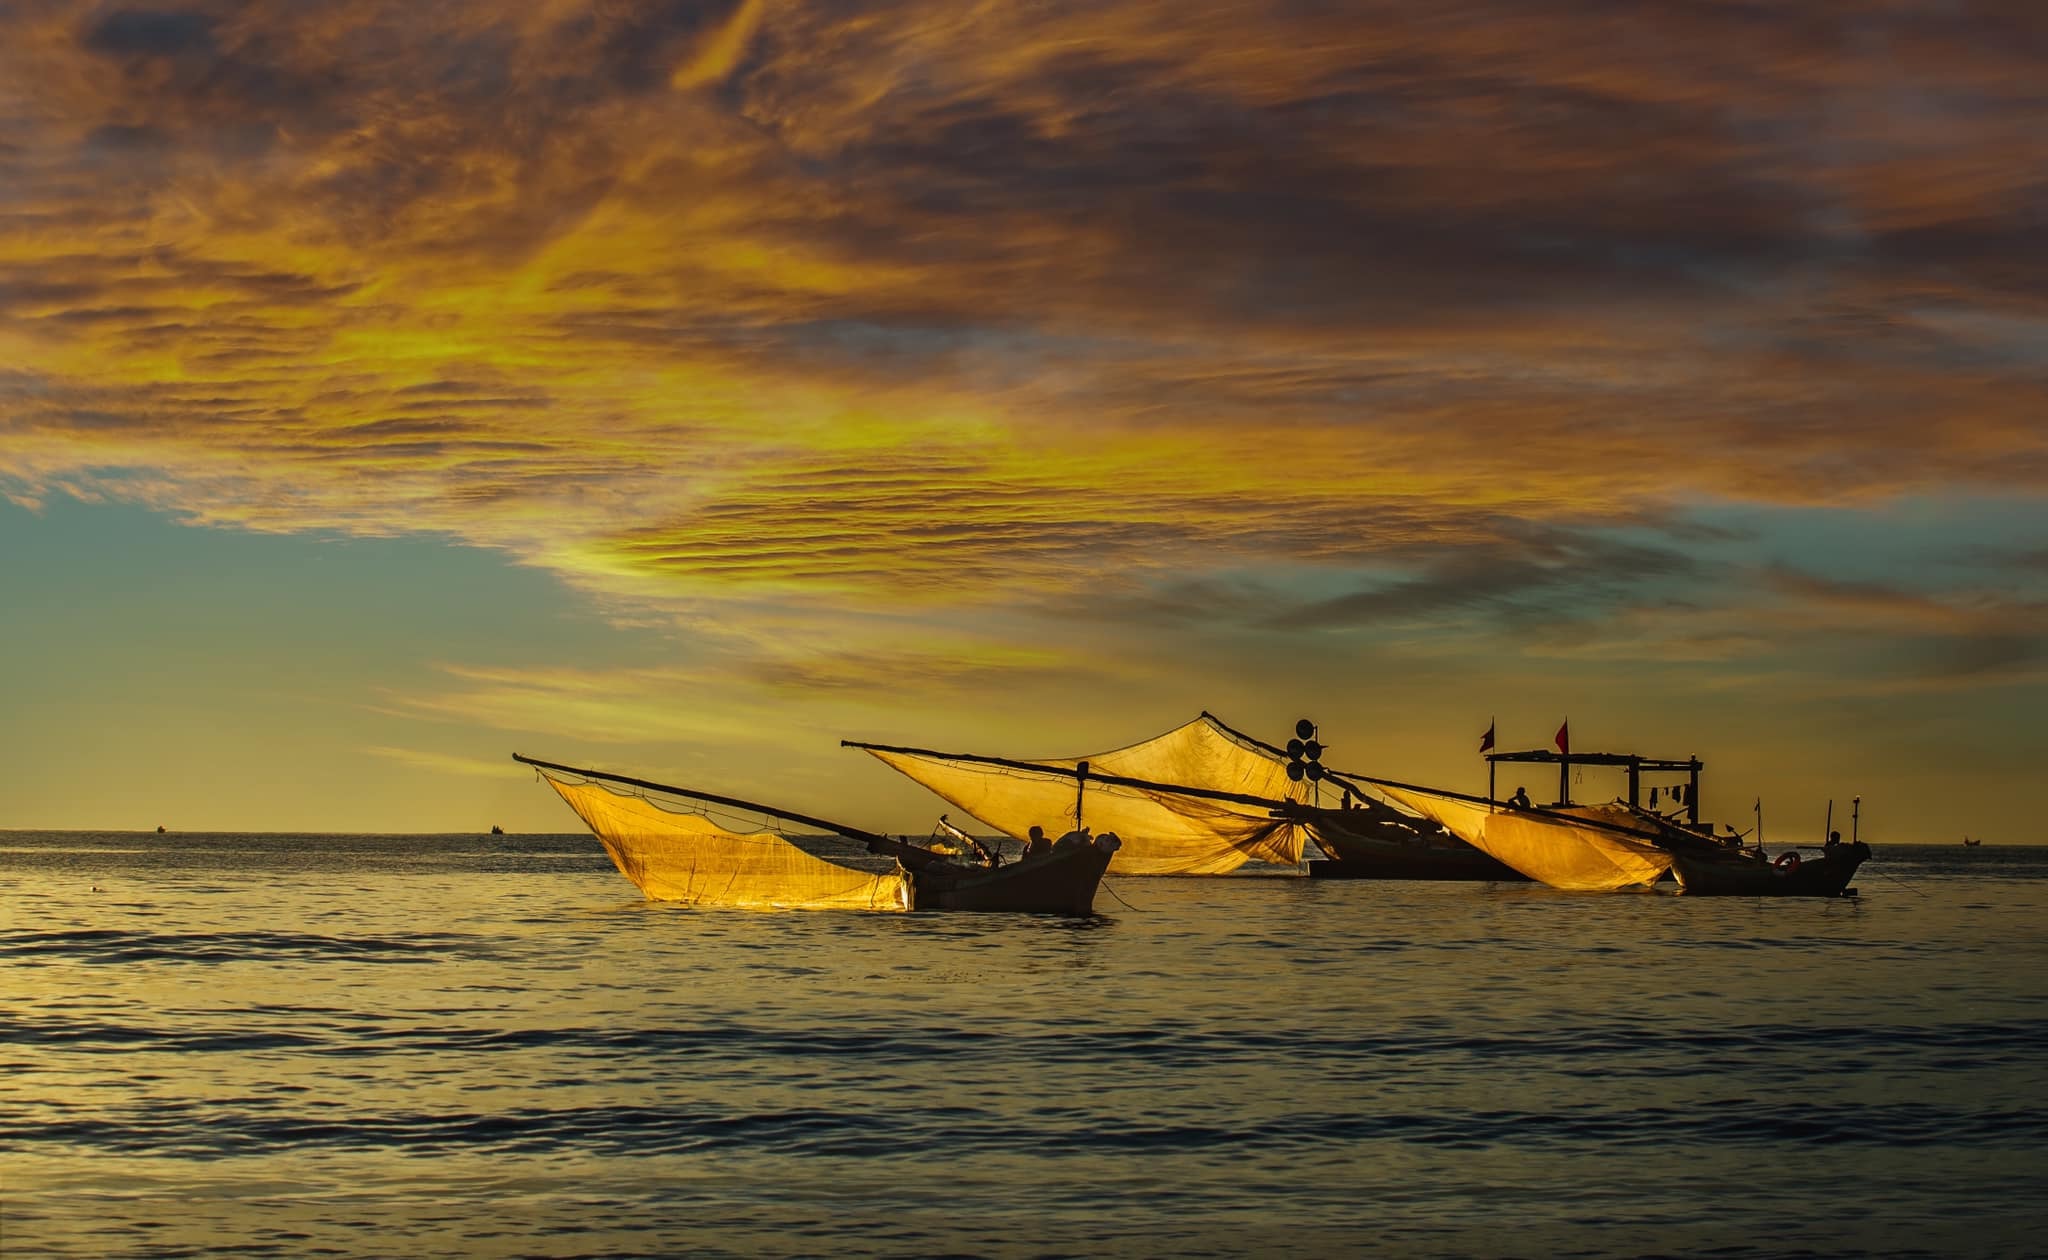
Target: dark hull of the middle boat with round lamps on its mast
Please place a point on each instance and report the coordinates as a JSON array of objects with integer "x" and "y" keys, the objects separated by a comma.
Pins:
[{"x": 1367, "y": 839}]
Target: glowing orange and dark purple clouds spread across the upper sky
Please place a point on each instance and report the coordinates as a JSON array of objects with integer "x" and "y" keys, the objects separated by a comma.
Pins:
[{"x": 1103, "y": 308}]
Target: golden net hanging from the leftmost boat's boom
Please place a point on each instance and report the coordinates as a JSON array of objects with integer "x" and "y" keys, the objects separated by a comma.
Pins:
[{"x": 687, "y": 857}]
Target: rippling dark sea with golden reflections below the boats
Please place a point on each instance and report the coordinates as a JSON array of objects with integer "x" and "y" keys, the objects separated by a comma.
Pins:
[{"x": 441, "y": 1046}]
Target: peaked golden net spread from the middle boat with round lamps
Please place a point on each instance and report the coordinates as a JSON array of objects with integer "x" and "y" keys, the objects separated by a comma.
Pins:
[{"x": 1162, "y": 833}]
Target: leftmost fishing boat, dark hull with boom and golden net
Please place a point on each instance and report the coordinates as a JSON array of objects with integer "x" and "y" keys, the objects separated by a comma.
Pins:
[{"x": 679, "y": 855}]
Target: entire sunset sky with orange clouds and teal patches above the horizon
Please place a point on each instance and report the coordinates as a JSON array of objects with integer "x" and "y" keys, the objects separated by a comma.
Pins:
[{"x": 681, "y": 388}]
